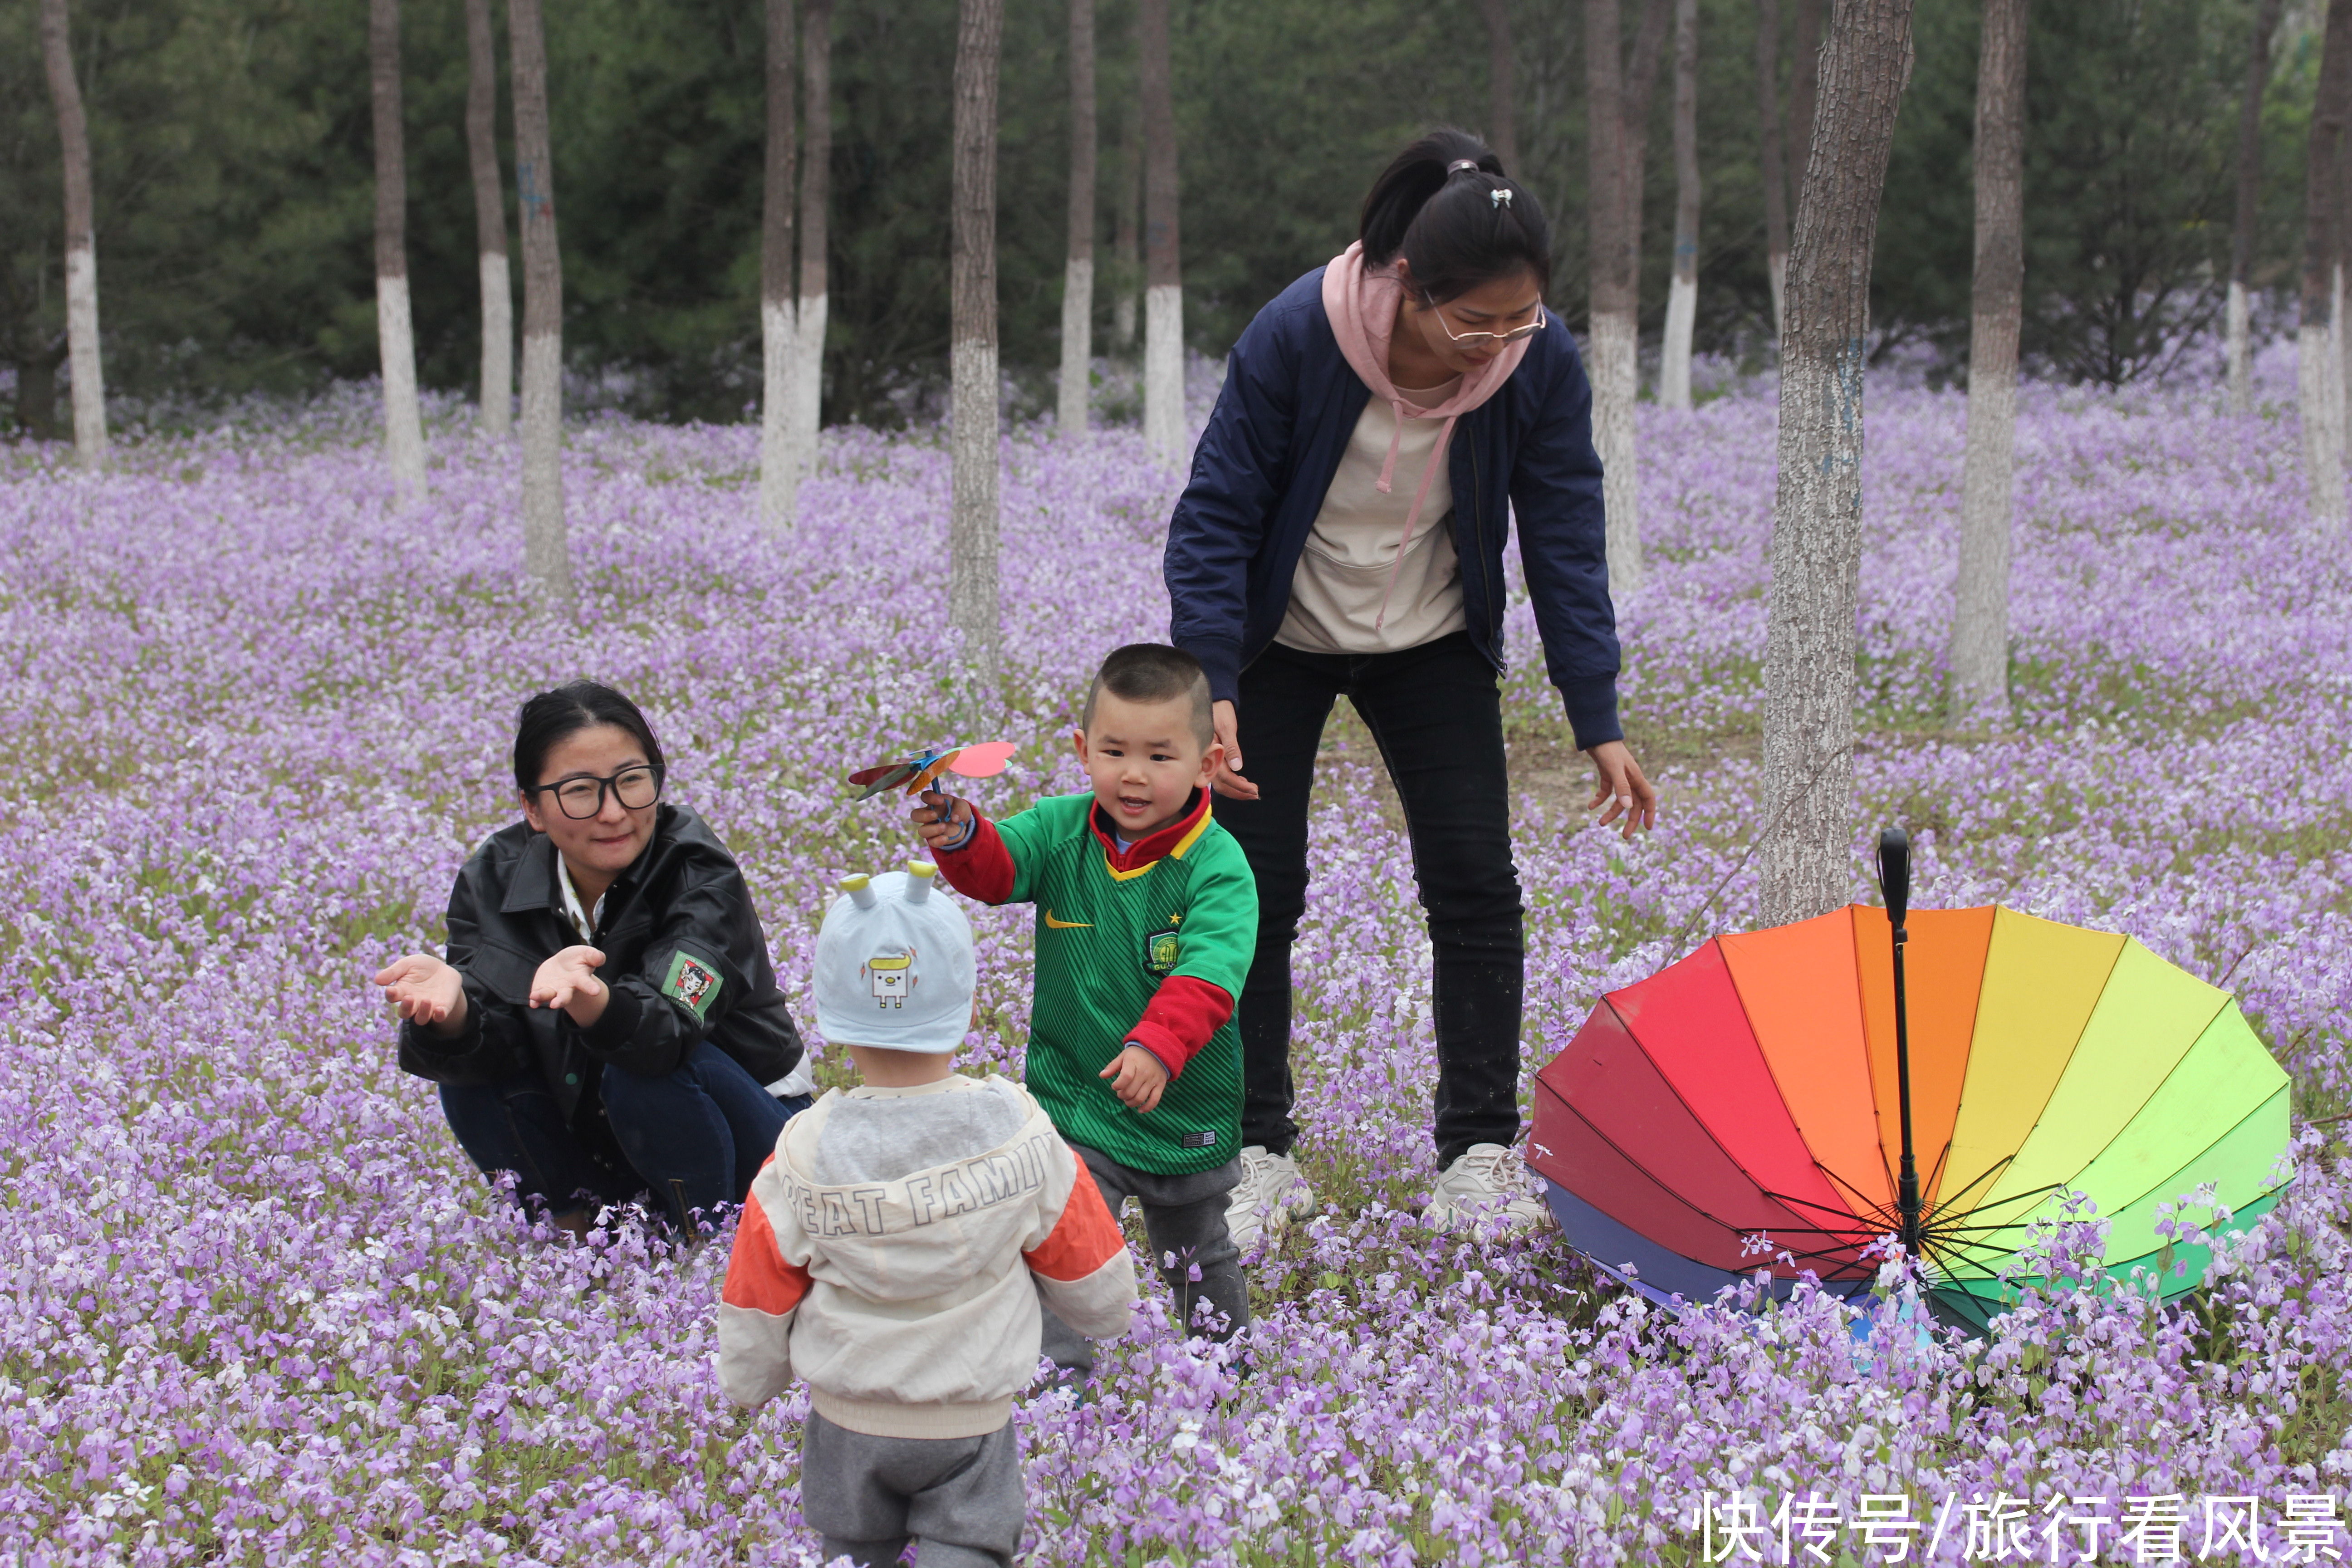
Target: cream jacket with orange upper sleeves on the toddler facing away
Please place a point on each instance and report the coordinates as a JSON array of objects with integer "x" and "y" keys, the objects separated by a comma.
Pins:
[{"x": 911, "y": 1306}]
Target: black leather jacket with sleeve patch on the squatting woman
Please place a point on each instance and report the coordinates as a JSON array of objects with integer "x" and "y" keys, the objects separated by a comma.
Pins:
[{"x": 669, "y": 925}]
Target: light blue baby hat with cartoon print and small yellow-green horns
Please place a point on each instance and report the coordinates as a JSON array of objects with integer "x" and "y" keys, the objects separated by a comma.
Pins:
[{"x": 895, "y": 965}]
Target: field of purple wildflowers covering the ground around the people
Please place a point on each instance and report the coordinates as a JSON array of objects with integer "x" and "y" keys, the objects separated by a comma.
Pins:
[{"x": 262, "y": 1311}]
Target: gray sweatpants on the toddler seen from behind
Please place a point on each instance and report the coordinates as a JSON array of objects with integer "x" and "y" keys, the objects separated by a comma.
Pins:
[{"x": 961, "y": 1496}]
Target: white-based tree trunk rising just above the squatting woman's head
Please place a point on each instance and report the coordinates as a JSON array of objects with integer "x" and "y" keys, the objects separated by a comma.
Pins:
[{"x": 544, "y": 544}]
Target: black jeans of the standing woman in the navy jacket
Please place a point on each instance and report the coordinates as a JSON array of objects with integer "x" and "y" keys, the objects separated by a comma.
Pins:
[{"x": 1438, "y": 718}]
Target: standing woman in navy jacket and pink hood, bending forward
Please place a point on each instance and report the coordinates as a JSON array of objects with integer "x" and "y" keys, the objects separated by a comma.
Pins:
[{"x": 1344, "y": 537}]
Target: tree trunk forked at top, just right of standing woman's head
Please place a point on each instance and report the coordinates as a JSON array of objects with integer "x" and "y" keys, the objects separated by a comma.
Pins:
[{"x": 1619, "y": 119}]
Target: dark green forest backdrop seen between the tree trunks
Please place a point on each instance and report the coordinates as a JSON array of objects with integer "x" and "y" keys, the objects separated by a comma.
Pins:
[{"x": 234, "y": 185}]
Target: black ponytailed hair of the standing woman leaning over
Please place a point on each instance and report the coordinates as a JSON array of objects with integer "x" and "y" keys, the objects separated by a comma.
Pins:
[{"x": 1457, "y": 220}]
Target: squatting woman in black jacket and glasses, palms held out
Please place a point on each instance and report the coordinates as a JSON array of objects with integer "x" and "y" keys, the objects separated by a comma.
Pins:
[{"x": 608, "y": 1021}]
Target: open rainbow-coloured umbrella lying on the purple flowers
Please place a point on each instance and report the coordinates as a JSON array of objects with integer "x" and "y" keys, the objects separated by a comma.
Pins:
[{"x": 1744, "y": 1108}]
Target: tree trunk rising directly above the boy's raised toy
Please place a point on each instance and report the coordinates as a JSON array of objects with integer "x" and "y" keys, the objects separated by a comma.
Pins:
[{"x": 973, "y": 351}]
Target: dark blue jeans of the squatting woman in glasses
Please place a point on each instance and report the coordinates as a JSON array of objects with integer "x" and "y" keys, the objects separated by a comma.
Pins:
[{"x": 693, "y": 1137}]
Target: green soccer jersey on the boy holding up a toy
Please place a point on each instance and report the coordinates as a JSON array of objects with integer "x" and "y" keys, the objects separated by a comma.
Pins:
[{"x": 1107, "y": 939}]
